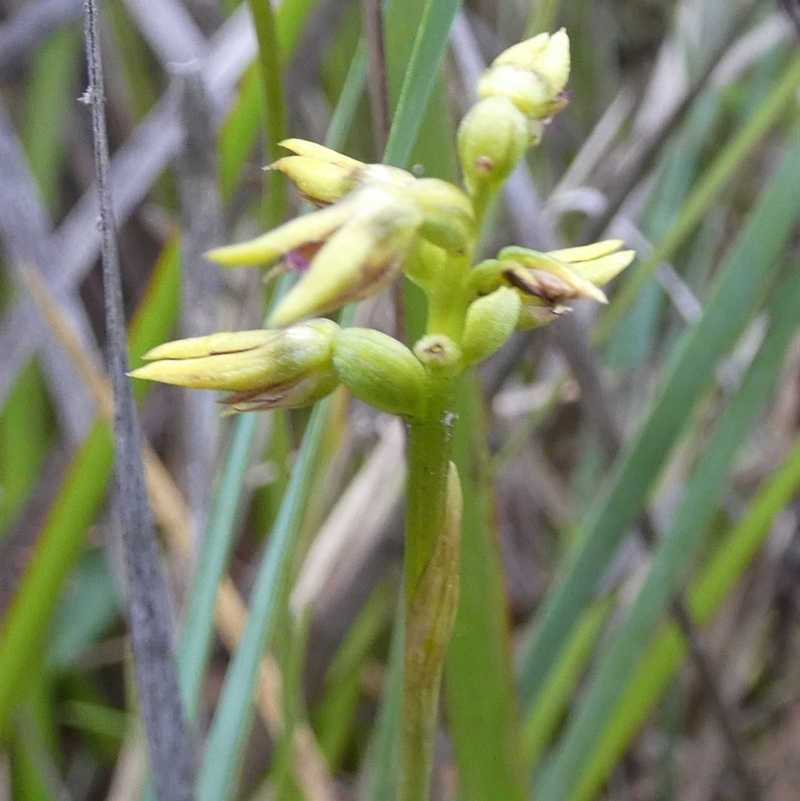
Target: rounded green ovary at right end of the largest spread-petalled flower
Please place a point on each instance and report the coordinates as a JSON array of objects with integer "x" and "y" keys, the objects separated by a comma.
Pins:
[{"x": 448, "y": 219}]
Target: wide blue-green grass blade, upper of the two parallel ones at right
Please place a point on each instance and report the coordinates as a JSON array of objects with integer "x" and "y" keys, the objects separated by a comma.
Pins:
[{"x": 688, "y": 374}]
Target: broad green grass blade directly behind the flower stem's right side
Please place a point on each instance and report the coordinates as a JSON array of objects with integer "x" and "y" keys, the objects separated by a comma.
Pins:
[{"x": 479, "y": 686}]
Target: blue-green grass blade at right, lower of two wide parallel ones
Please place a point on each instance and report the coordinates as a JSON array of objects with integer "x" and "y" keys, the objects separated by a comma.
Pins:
[{"x": 673, "y": 555}]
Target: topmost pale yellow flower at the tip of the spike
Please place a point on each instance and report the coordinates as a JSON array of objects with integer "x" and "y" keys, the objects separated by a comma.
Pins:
[{"x": 531, "y": 74}]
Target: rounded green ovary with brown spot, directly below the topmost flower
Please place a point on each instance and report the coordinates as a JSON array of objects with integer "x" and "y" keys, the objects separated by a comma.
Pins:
[{"x": 492, "y": 138}]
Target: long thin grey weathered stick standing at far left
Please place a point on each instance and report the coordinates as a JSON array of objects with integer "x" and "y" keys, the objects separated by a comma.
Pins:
[{"x": 149, "y": 615}]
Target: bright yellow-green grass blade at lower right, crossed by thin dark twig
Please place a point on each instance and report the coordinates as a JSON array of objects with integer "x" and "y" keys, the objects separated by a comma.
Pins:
[{"x": 668, "y": 651}]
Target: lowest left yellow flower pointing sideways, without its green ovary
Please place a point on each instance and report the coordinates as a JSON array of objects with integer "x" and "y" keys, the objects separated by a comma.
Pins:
[{"x": 266, "y": 369}]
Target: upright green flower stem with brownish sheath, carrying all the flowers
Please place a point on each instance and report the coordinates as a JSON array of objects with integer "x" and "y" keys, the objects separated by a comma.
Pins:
[{"x": 433, "y": 531}]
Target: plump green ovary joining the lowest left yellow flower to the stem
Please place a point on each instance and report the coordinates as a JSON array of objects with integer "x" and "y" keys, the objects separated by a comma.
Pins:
[{"x": 379, "y": 370}]
